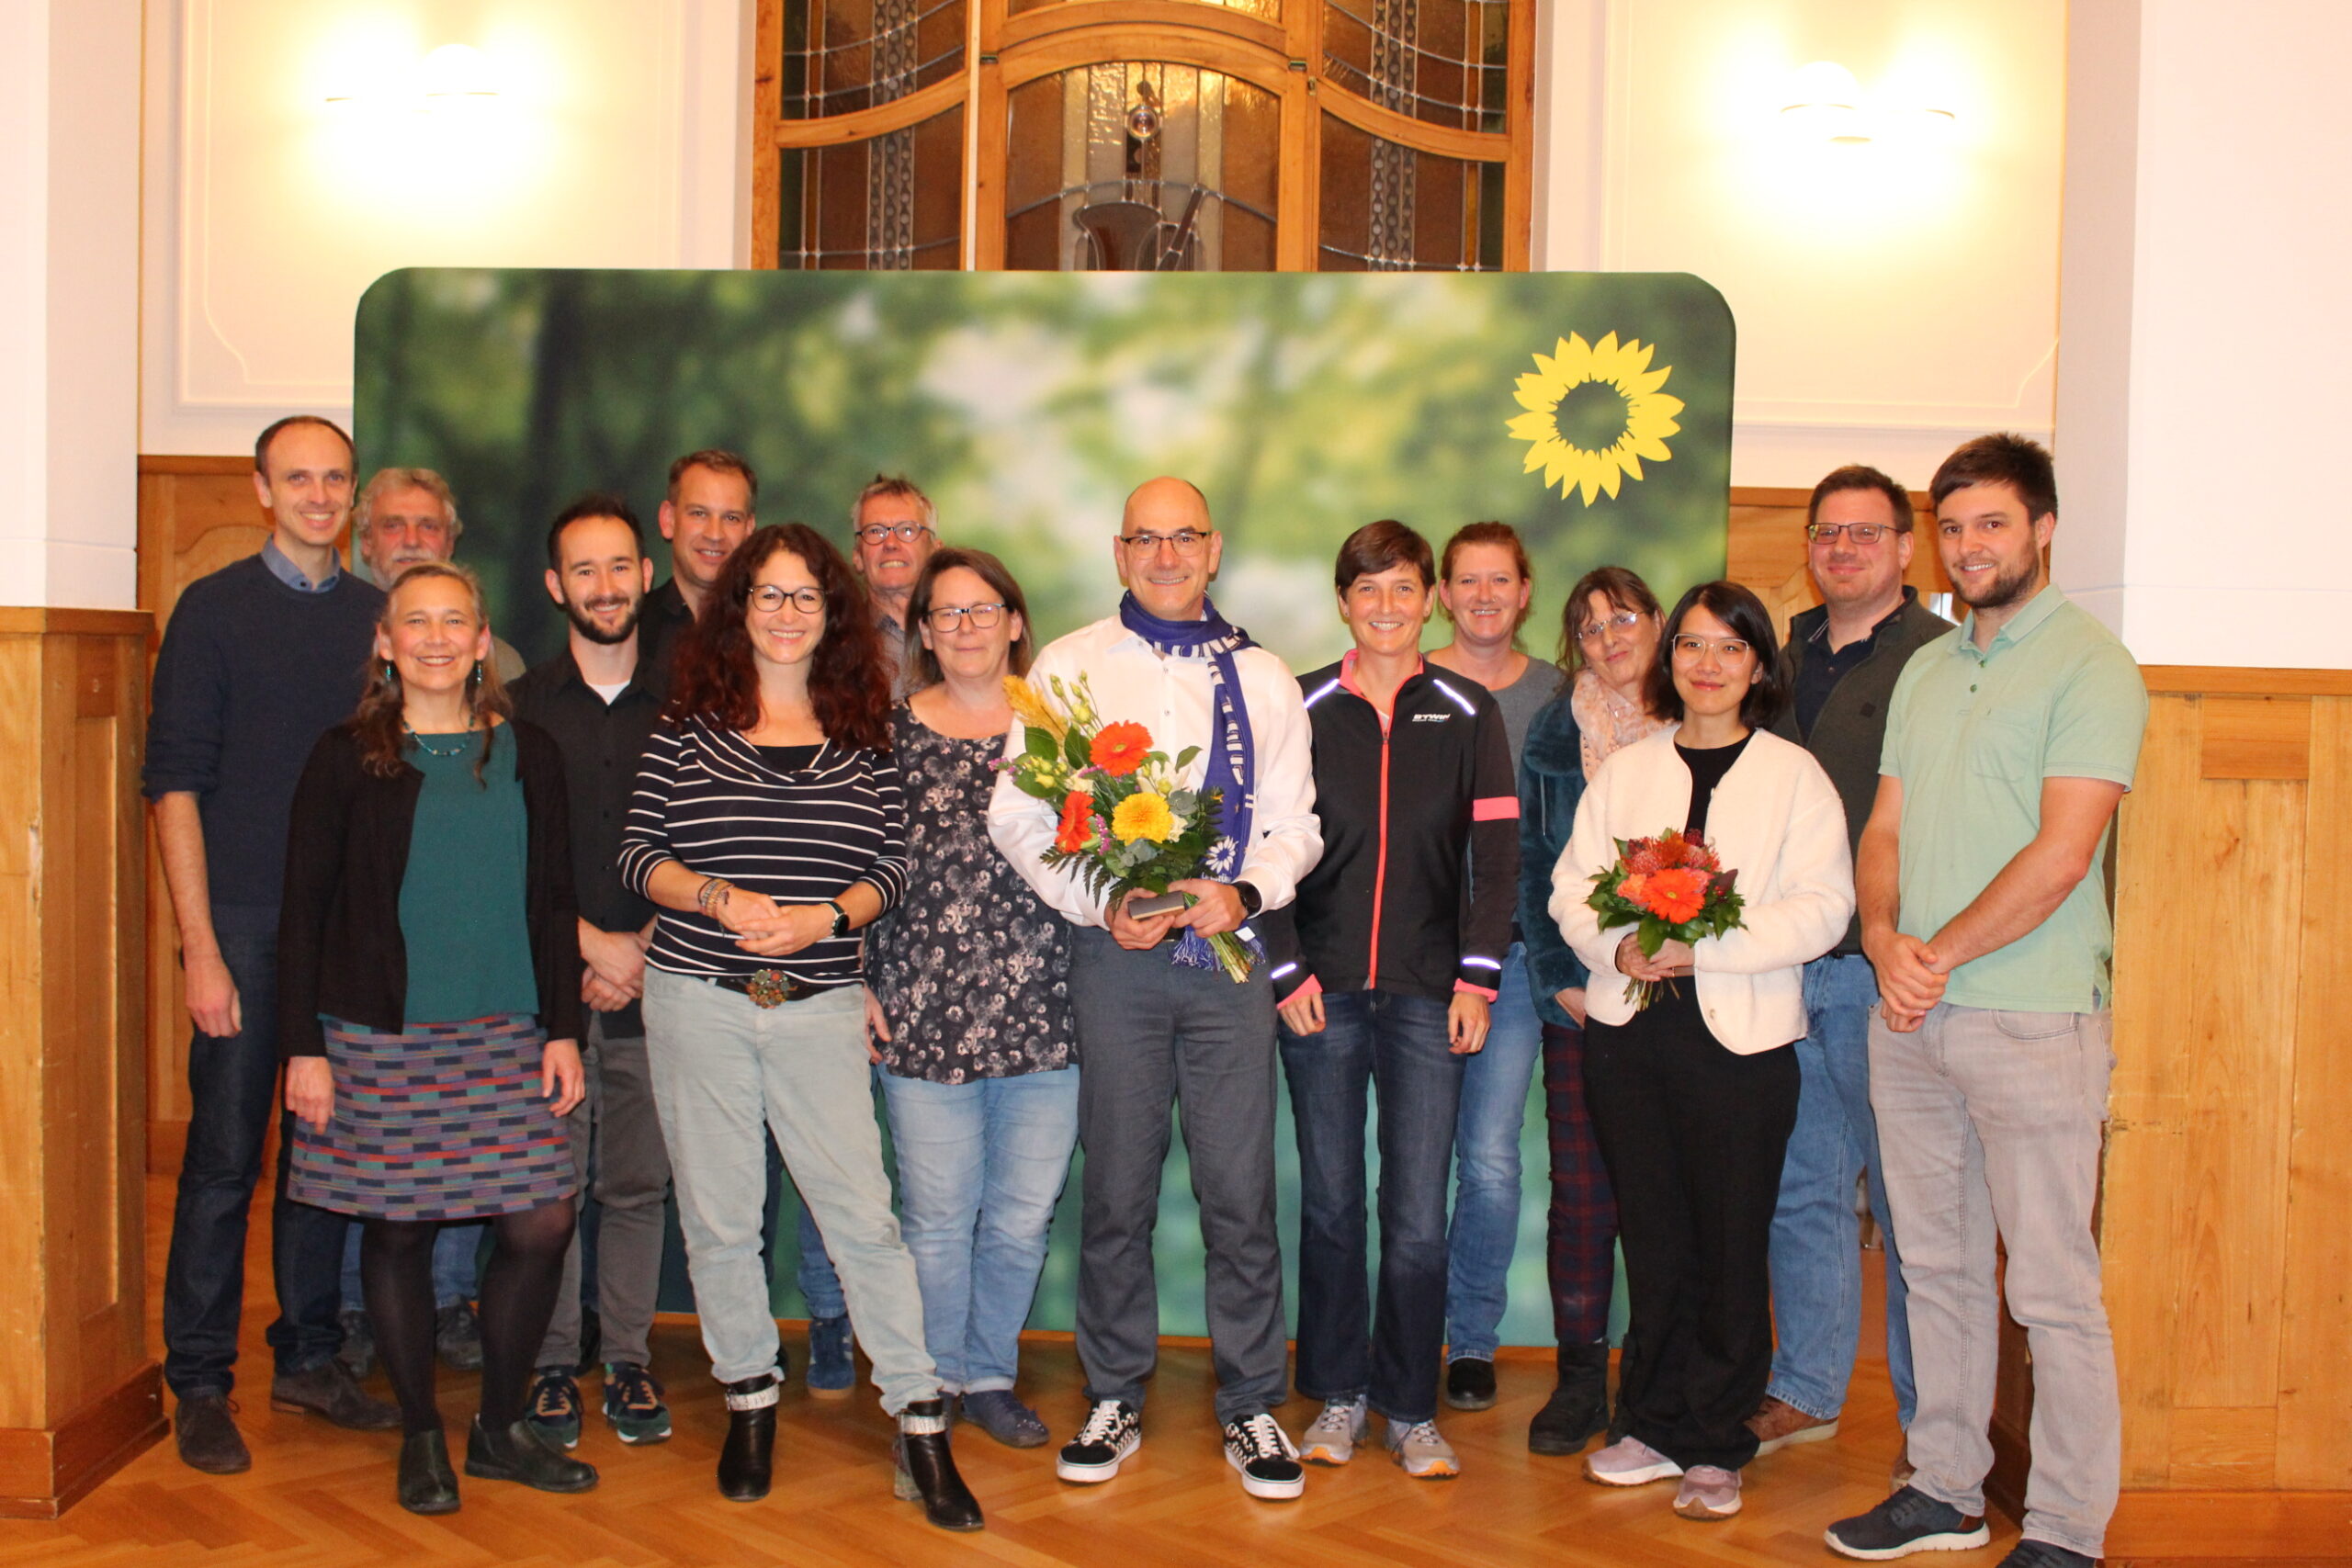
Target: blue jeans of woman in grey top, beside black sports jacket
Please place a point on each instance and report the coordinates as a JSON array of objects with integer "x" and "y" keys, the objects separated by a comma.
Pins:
[{"x": 1488, "y": 1167}]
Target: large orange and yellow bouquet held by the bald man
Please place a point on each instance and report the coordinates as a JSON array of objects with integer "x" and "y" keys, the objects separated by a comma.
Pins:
[{"x": 1125, "y": 824}]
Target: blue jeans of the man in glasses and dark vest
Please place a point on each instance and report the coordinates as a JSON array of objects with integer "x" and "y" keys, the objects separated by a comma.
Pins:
[{"x": 1817, "y": 1240}]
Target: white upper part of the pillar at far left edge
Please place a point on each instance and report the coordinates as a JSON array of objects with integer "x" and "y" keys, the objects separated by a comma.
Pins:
[{"x": 69, "y": 304}]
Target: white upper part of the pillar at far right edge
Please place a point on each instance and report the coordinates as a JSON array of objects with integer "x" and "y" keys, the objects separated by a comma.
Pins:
[{"x": 2207, "y": 328}]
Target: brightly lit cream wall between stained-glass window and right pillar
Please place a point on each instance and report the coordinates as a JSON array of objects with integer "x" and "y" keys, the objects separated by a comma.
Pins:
[{"x": 1892, "y": 300}]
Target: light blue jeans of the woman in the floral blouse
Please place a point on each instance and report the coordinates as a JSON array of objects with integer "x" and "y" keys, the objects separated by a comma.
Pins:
[{"x": 980, "y": 1172}]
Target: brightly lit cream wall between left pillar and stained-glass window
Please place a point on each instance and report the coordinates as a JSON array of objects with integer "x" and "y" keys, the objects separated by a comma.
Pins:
[{"x": 269, "y": 210}]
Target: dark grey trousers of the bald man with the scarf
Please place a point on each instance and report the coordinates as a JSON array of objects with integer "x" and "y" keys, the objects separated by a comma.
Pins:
[{"x": 1156, "y": 1036}]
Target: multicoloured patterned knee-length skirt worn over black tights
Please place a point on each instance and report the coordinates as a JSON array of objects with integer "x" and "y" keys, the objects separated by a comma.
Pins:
[{"x": 441, "y": 1123}]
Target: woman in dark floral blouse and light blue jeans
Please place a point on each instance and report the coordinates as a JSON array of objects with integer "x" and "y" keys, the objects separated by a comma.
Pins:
[{"x": 975, "y": 1005}]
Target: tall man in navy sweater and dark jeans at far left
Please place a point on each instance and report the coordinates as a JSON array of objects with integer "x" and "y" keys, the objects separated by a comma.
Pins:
[{"x": 255, "y": 664}]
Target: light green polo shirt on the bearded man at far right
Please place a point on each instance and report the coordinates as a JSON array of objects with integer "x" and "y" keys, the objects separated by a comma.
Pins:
[{"x": 1972, "y": 735}]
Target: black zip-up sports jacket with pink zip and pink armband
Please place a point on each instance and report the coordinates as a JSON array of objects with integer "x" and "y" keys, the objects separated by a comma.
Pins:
[{"x": 1422, "y": 843}]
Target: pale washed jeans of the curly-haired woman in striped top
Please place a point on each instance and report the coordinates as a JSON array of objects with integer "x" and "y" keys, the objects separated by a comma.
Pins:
[{"x": 723, "y": 1064}]
